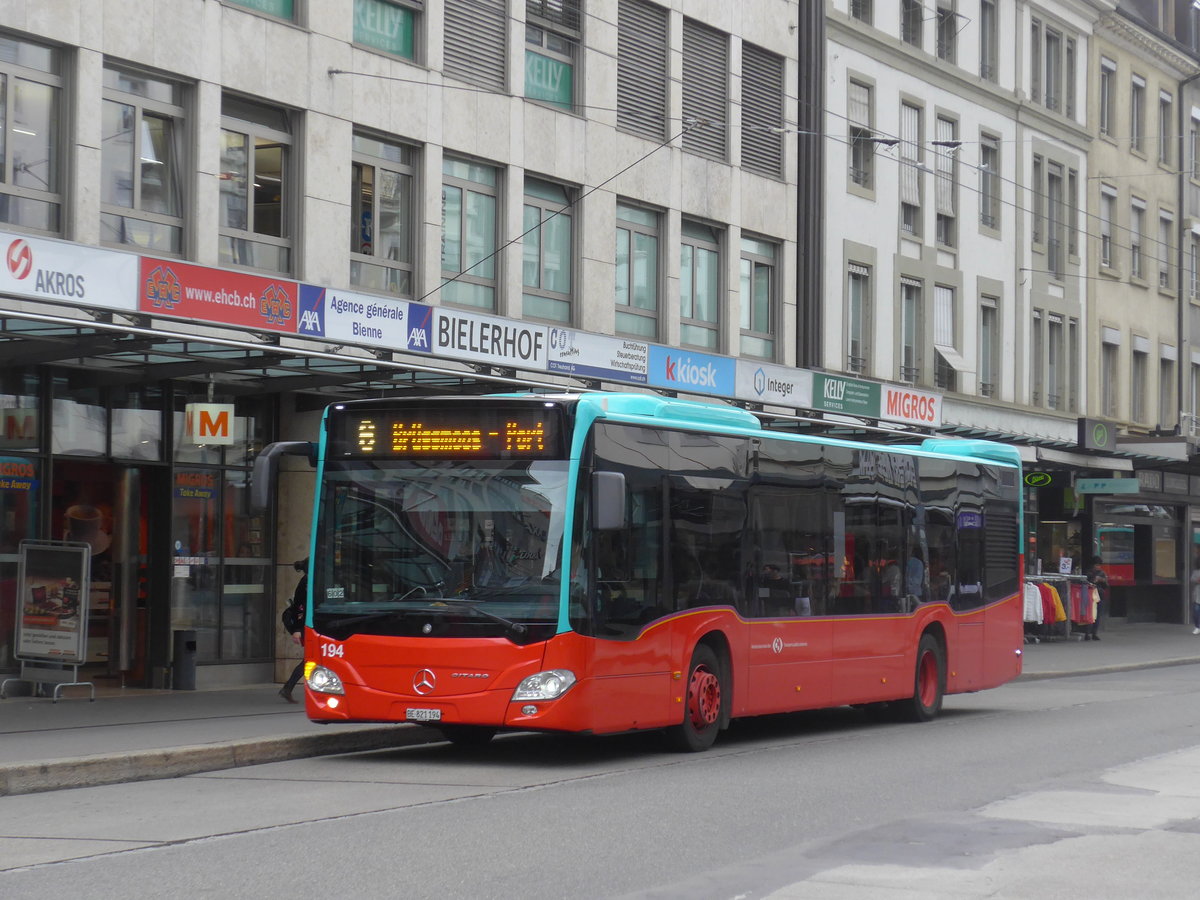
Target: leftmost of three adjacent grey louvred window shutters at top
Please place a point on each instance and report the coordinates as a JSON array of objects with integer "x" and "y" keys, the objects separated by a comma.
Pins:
[{"x": 643, "y": 69}]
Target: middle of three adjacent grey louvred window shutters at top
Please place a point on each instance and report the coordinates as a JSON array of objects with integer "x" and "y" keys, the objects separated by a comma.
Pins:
[{"x": 706, "y": 65}]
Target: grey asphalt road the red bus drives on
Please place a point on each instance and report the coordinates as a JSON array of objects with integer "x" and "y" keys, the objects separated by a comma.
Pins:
[{"x": 1067, "y": 788}]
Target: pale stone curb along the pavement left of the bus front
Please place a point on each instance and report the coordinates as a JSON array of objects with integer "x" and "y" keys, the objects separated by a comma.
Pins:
[{"x": 177, "y": 761}]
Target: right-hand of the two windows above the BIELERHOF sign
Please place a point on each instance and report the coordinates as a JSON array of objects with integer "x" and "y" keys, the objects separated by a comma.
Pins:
[{"x": 548, "y": 261}]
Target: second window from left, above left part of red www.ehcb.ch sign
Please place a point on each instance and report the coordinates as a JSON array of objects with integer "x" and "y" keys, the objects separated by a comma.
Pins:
[{"x": 141, "y": 160}]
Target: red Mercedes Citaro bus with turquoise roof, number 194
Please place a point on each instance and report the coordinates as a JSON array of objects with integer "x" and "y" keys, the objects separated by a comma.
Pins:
[{"x": 607, "y": 563}]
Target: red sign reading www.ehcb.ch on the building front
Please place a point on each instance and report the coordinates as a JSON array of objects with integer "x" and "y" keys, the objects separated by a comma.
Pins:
[{"x": 169, "y": 287}]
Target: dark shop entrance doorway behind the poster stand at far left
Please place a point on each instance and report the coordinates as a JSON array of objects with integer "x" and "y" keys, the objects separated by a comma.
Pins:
[{"x": 106, "y": 507}]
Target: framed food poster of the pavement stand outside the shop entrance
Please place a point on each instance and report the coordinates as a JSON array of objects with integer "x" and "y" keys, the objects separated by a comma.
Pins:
[{"x": 52, "y": 609}]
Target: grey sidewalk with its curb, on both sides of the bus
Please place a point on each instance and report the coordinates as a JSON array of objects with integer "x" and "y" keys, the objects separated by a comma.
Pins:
[{"x": 140, "y": 735}]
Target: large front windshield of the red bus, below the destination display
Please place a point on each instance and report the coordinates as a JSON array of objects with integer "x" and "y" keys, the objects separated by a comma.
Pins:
[{"x": 441, "y": 549}]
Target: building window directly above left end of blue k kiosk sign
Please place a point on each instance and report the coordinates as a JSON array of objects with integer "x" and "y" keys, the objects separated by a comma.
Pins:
[{"x": 638, "y": 272}]
